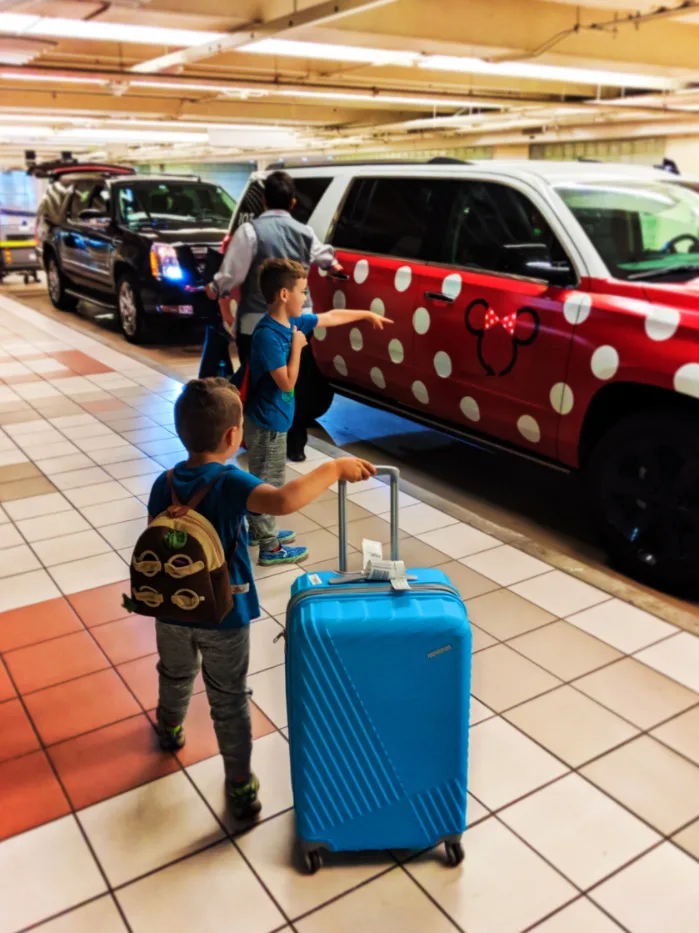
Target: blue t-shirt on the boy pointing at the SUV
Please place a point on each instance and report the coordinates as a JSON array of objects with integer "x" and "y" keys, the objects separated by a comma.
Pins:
[{"x": 266, "y": 404}]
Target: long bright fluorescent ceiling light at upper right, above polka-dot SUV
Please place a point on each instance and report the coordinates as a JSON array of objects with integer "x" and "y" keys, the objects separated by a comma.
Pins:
[{"x": 539, "y": 72}]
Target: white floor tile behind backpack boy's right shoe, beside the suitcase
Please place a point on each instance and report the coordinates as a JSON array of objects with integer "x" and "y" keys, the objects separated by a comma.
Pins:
[{"x": 270, "y": 762}]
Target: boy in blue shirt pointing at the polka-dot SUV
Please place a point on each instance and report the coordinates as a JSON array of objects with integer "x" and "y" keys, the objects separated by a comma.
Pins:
[{"x": 275, "y": 357}]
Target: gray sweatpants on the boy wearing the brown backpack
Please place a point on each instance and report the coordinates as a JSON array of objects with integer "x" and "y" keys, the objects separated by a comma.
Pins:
[{"x": 223, "y": 655}]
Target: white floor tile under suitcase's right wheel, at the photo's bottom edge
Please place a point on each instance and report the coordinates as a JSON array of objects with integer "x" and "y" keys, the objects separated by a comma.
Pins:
[{"x": 502, "y": 886}]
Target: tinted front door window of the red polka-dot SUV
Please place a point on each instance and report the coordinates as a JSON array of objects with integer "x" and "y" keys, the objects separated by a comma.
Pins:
[{"x": 485, "y": 218}]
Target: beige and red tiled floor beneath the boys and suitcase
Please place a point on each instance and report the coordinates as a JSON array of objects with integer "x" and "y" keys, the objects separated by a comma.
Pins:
[{"x": 584, "y": 755}]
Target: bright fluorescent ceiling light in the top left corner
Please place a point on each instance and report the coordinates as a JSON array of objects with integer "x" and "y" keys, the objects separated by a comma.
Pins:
[{"x": 57, "y": 28}]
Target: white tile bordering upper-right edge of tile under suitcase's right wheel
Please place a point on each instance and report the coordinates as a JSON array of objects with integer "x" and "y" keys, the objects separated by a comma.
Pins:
[{"x": 580, "y": 830}]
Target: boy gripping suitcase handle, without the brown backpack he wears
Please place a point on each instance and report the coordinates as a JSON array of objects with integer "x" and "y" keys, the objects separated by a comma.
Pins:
[{"x": 209, "y": 422}]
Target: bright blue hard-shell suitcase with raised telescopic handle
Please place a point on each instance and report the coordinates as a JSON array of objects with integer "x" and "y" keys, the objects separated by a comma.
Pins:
[{"x": 378, "y": 693}]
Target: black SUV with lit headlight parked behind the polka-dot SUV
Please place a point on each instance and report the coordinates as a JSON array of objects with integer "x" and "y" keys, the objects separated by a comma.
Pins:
[{"x": 143, "y": 245}]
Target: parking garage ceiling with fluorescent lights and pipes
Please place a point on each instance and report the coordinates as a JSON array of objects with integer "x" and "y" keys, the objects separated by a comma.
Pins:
[{"x": 156, "y": 81}]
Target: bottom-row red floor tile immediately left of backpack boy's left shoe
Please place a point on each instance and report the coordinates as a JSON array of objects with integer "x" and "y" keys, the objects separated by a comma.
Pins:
[{"x": 110, "y": 761}]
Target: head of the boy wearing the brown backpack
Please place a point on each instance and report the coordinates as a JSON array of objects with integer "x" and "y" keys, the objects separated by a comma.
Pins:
[{"x": 205, "y": 410}]
